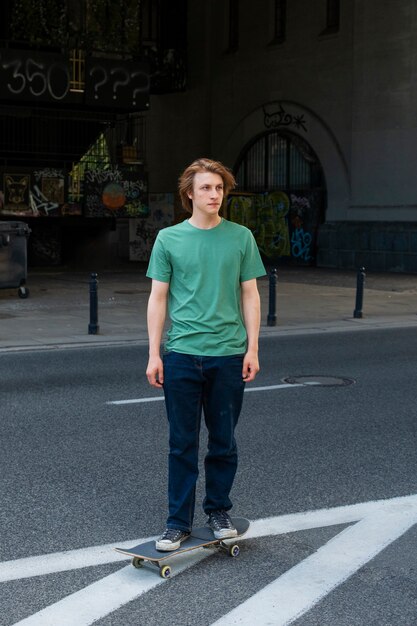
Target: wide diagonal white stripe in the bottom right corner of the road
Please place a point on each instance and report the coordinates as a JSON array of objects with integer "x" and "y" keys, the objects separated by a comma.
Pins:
[{"x": 300, "y": 588}]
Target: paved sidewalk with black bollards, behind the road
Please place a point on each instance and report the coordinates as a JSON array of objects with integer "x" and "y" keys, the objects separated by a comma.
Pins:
[{"x": 56, "y": 314}]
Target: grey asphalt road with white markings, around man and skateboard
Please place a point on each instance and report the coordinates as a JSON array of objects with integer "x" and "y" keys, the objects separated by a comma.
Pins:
[{"x": 80, "y": 475}]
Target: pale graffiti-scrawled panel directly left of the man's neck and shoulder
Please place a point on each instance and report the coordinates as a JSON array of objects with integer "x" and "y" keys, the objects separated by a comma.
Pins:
[{"x": 143, "y": 232}]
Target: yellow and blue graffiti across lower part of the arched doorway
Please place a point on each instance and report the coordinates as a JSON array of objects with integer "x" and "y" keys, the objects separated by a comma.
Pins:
[{"x": 284, "y": 225}]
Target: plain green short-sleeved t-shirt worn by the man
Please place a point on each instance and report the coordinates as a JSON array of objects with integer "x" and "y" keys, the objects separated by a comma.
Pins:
[{"x": 205, "y": 269}]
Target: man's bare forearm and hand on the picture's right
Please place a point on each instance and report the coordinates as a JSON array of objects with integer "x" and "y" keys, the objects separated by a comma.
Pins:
[{"x": 251, "y": 307}]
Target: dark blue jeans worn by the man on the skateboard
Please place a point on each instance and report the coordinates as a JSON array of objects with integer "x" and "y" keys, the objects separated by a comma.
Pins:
[{"x": 194, "y": 385}]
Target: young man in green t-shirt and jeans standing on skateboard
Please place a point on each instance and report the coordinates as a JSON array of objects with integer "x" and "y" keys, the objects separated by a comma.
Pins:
[{"x": 204, "y": 269}]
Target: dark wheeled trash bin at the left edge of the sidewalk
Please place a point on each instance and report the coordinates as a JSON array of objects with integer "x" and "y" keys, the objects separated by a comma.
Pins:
[{"x": 13, "y": 256}]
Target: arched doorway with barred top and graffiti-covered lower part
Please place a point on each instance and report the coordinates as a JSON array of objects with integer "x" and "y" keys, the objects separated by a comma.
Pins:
[{"x": 281, "y": 196}]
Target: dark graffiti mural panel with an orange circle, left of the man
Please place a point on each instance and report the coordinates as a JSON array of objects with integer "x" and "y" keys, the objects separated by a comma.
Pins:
[{"x": 115, "y": 193}]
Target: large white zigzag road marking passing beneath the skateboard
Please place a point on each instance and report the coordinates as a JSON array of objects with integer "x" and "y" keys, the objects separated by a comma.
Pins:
[{"x": 376, "y": 525}]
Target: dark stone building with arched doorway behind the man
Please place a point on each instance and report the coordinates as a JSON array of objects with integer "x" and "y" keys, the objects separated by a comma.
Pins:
[{"x": 316, "y": 100}]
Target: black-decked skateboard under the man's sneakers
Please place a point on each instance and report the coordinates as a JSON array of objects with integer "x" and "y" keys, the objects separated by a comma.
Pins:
[{"x": 201, "y": 537}]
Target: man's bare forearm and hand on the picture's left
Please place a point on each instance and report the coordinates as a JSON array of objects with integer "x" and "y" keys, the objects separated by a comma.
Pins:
[{"x": 157, "y": 307}]
